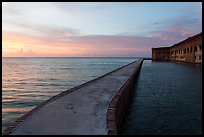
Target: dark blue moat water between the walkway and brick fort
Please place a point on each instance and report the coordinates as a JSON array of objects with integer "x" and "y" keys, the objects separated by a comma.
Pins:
[{"x": 167, "y": 100}]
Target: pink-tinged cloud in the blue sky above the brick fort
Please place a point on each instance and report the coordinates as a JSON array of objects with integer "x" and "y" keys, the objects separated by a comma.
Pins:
[{"x": 179, "y": 28}]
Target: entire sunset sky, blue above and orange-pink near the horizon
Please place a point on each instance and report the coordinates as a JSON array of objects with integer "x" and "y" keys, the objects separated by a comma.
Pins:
[{"x": 95, "y": 29}]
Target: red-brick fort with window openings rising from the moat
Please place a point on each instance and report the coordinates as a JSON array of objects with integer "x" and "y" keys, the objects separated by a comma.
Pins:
[{"x": 188, "y": 50}]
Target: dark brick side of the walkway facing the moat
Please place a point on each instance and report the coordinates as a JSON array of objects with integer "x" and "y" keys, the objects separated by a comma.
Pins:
[{"x": 119, "y": 103}]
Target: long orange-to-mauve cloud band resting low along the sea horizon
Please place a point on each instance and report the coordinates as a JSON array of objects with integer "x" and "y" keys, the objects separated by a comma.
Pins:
[{"x": 88, "y": 45}]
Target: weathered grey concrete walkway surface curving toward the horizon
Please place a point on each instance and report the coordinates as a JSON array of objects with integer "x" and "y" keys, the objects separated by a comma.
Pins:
[{"x": 81, "y": 110}]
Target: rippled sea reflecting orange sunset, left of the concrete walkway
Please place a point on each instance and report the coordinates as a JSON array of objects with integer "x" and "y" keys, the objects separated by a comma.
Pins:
[{"x": 27, "y": 82}]
